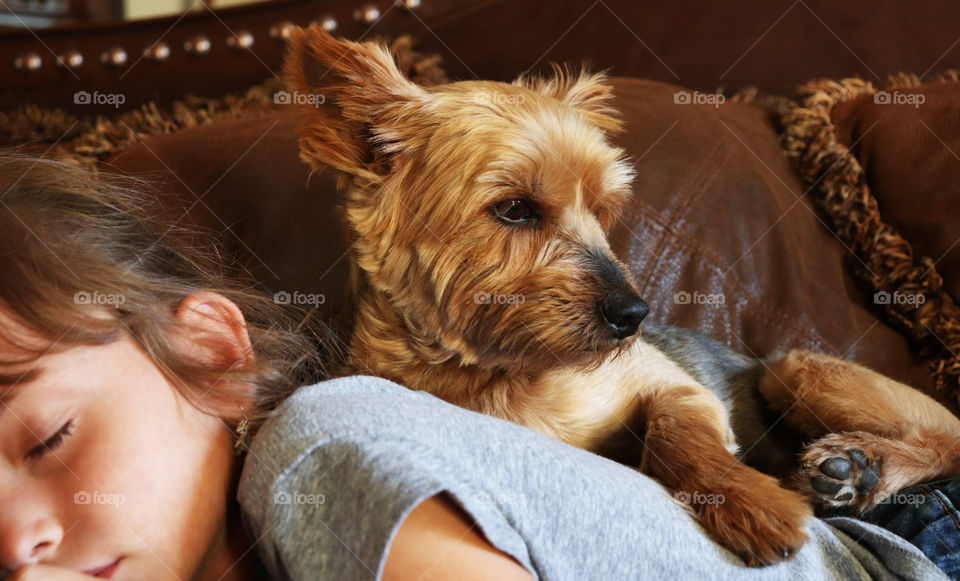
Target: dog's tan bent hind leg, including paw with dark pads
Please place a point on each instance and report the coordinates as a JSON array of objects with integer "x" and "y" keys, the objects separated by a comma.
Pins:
[{"x": 872, "y": 435}]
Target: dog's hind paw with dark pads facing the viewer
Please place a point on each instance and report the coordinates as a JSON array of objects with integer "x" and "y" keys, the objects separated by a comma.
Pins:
[{"x": 841, "y": 471}]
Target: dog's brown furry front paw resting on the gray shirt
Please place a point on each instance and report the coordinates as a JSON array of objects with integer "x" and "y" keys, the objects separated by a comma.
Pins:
[{"x": 757, "y": 519}]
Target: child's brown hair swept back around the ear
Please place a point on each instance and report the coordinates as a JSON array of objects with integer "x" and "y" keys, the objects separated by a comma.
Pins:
[{"x": 69, "y": 240}]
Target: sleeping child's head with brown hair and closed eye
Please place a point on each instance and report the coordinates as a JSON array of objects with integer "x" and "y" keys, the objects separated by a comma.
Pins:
[{"x": 125, "y": 360}]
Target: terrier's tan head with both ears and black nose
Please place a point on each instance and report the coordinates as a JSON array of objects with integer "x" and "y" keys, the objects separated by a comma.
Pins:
[{"x": 481, "y": 208}]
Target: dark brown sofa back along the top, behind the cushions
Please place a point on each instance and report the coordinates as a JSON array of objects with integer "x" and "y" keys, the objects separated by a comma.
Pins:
[{"x": 774, "y": 45}]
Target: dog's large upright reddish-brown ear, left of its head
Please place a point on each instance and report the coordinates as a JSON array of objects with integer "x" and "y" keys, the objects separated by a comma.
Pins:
[{"x": 355, "y": 125}]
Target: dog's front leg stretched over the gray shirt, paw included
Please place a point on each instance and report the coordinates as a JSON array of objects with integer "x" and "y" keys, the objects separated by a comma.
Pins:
[{"x": 686, "y": 448}]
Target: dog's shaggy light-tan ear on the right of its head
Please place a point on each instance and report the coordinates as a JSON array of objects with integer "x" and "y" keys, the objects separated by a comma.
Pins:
[{"x": 588, "y": 92}]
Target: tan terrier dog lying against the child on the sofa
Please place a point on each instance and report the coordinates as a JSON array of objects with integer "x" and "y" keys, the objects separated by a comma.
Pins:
[{"x": 482, "y": 274}]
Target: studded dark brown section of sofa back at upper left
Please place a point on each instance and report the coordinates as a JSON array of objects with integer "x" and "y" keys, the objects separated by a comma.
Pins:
[{"x": 85, "y": 67}]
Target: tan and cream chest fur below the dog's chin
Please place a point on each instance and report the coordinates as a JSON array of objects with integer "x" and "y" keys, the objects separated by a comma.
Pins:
[{"x": 588, "y": 408}]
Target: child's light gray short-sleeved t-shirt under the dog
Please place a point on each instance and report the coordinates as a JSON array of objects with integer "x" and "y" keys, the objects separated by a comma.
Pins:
[{"x": 331, "y": 477}]
